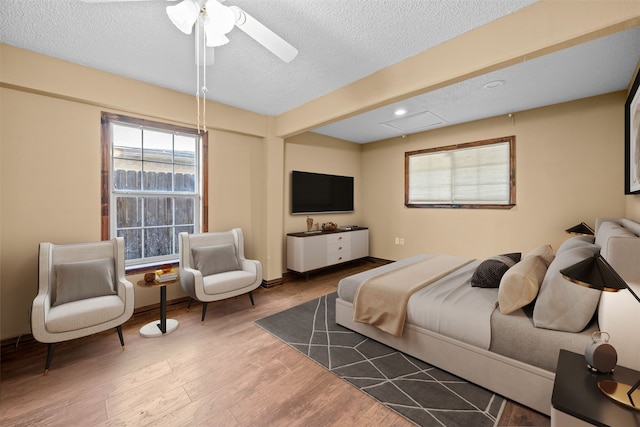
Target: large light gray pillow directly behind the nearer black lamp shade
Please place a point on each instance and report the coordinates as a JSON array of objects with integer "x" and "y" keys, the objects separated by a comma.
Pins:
[{"x": 561, "y": 304}]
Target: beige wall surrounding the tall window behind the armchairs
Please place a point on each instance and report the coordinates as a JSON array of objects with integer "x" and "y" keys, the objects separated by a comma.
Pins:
[{"x": 50, "y": 169}]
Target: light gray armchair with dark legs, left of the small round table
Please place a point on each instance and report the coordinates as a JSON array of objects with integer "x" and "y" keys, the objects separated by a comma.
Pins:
[{"x": 82, "y": 290}]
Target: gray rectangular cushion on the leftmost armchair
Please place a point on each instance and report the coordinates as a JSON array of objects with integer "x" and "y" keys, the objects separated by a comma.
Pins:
[{"x": 84, "y": 279}]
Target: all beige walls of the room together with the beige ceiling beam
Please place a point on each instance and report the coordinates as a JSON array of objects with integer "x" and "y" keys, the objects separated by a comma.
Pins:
[{"x": 49, "y": 155}]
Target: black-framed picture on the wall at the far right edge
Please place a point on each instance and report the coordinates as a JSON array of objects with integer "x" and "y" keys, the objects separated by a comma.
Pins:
[{"x": 632, "y": 139}]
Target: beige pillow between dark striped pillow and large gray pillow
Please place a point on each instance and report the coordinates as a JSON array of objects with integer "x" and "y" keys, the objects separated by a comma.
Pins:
[{"x": 520, "y": 284}]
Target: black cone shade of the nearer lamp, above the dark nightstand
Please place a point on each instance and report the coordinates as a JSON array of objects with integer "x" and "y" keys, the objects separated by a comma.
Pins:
[{"x": 595, "y": 273}]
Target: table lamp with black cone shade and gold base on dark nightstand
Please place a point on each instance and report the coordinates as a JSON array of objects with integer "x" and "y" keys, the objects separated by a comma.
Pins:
[{"x": 597, "y": 273}]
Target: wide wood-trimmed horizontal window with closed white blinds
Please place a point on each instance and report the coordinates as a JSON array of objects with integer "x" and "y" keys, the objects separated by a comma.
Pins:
[{"x": 473, "y": 175}]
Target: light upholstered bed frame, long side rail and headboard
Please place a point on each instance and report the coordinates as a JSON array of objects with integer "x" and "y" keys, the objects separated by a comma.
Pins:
[{"x": 515, "y": 380}]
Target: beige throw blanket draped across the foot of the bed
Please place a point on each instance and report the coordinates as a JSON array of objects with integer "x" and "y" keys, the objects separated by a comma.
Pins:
[{"x": 381, "y": 301}]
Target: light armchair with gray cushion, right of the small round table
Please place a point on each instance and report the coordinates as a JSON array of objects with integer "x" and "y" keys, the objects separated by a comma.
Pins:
[{"x": 213, "y": 267}]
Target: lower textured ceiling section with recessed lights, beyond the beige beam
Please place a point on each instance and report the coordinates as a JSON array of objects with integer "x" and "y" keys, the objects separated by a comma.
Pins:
[{"x": 602, "y": 66}]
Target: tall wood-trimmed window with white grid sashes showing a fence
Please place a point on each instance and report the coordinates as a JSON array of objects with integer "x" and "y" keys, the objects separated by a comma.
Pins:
[{"x": 155, "y": 186}]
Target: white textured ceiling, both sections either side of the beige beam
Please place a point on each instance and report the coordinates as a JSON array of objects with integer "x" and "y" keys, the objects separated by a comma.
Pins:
[{"x": 340, "y": 41}]
